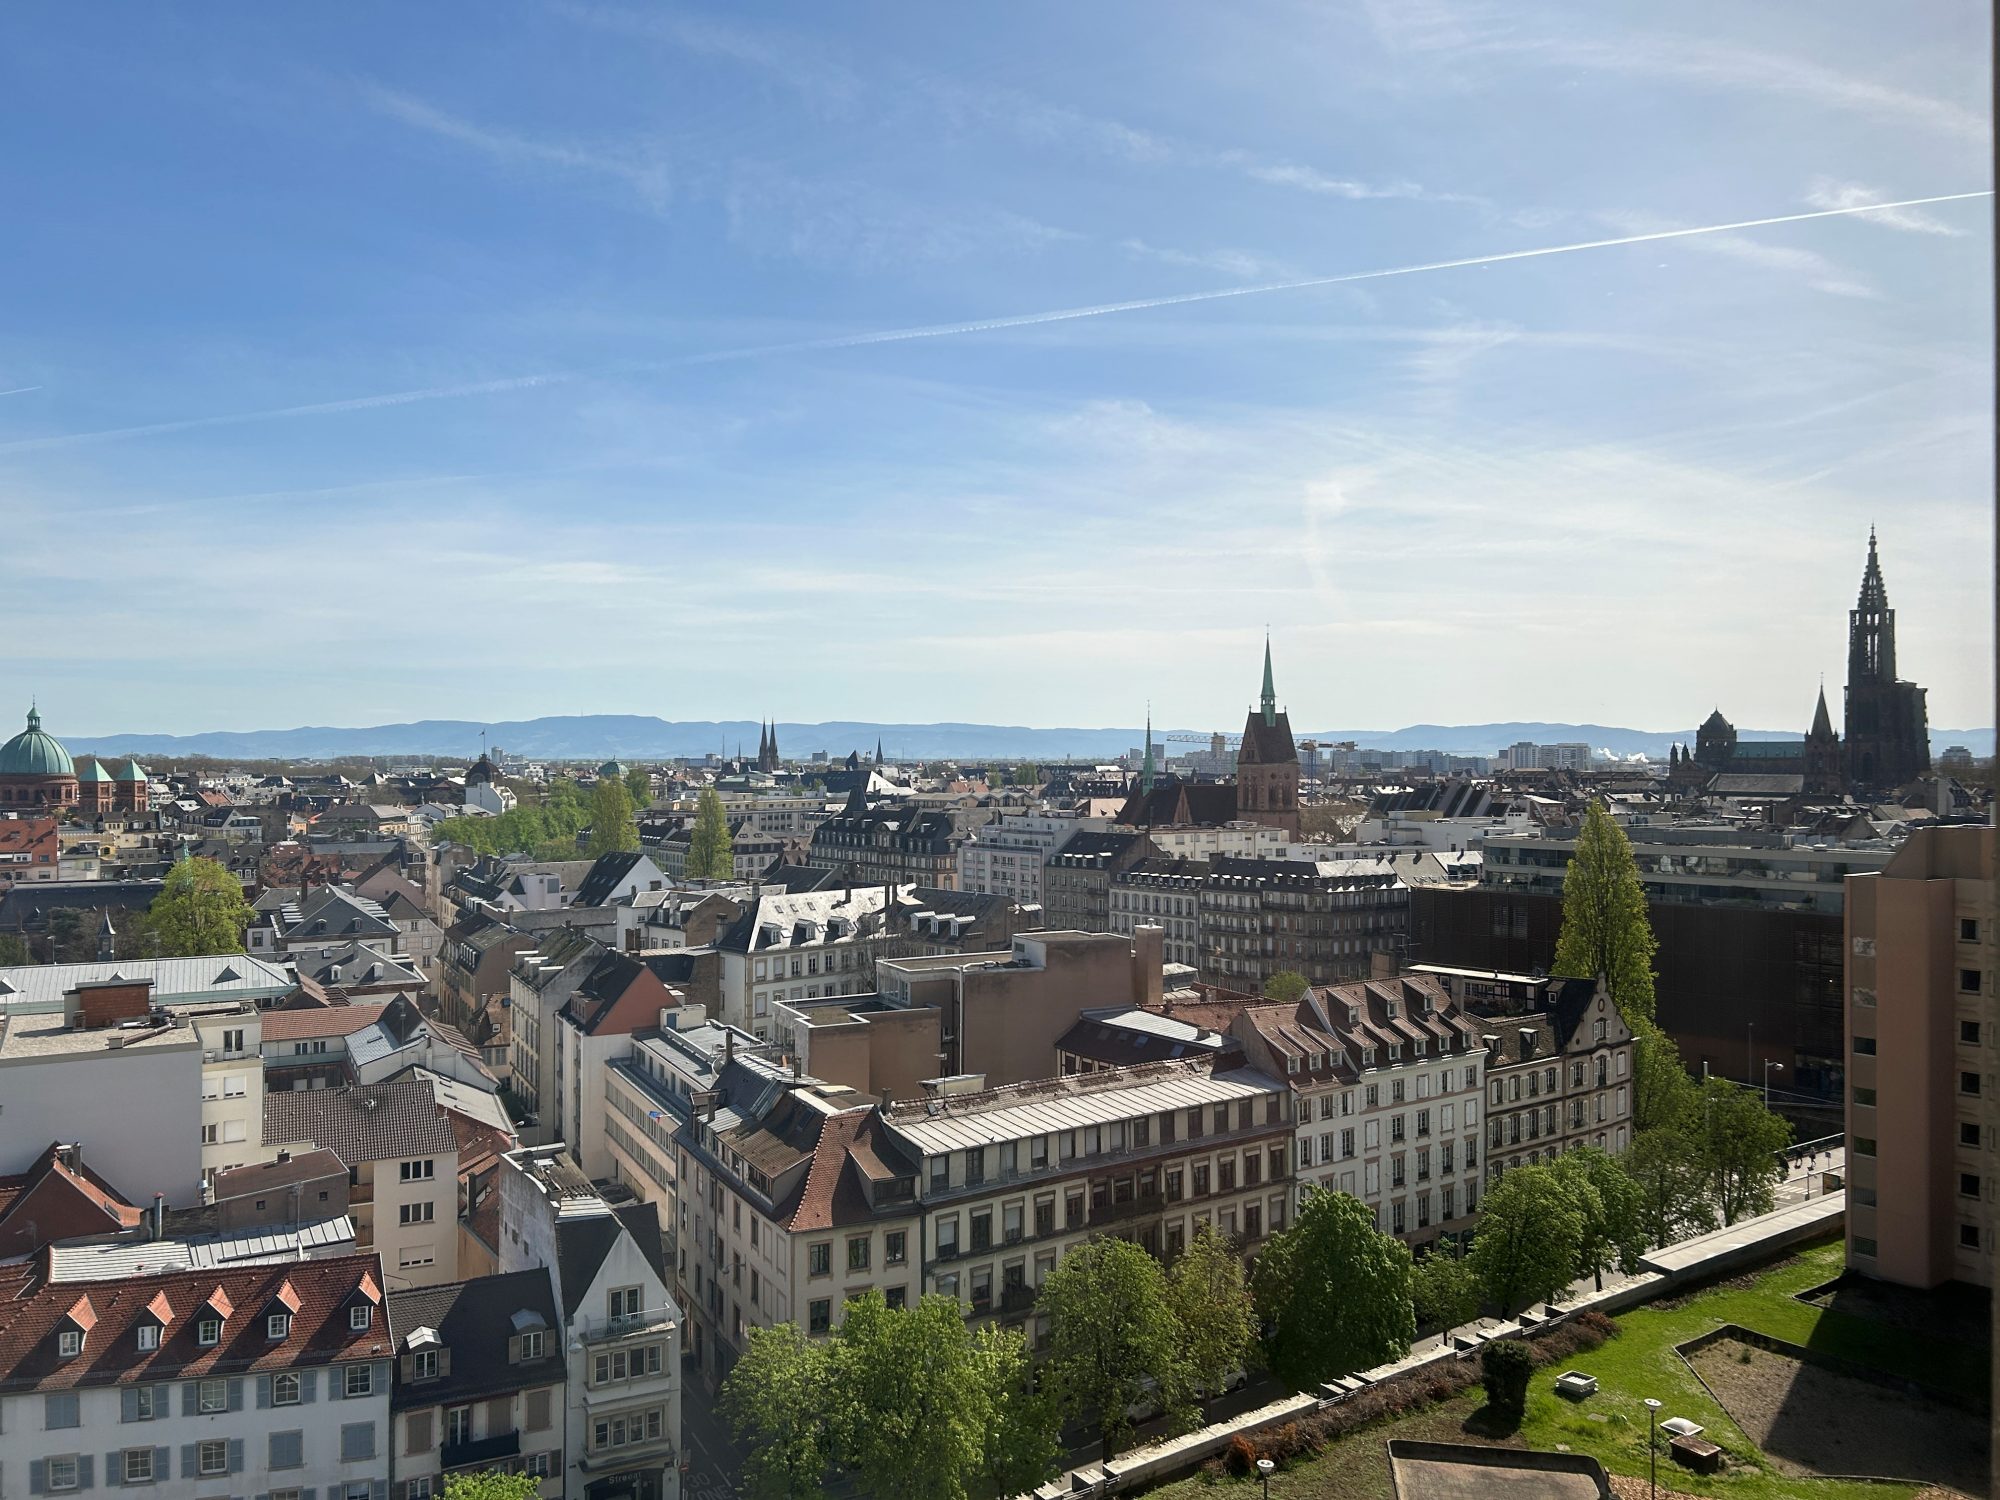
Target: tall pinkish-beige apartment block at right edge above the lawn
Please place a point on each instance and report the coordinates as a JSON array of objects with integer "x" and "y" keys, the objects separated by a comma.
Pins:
[{"x": 1921, "y": 1061}]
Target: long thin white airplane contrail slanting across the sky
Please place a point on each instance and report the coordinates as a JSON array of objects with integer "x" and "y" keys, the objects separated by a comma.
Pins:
[{"x": 961, "y": 329}]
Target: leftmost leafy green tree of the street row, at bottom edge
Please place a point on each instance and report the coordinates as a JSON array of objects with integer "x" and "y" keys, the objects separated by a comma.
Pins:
[{"x": 777, "y": 1403}]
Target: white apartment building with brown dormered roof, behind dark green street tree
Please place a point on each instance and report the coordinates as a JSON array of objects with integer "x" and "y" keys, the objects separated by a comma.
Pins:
[{"x": 1387, "y": 1083}]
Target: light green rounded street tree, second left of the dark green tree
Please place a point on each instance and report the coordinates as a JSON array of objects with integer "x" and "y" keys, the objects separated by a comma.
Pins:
[{"x": 1113, "y": 1339}]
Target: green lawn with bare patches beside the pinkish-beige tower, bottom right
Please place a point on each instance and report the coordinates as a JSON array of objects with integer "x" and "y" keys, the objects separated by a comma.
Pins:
[{"x": 1643, "y": 1363}]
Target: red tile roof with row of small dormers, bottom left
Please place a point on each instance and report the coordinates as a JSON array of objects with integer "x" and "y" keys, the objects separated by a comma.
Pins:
[{"x": 33, "y": 1311}]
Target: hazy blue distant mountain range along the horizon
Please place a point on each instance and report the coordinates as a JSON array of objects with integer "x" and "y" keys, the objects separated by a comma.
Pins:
[{"x": 641, "y": 737}]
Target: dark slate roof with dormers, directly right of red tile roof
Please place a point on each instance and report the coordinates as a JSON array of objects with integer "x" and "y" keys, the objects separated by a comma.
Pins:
[{"x": 475, "y": 1321}]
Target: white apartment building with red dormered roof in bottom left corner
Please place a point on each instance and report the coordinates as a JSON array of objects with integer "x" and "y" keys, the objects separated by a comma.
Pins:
[{"x": 263, "y": 1379}]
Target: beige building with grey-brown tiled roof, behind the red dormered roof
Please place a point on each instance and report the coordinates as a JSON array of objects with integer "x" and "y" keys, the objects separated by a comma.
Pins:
[{"x": 403, "y": 1169}]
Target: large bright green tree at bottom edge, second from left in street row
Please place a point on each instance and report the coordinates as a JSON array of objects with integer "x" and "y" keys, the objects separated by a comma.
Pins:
[{"x": 905, "y": 1383}]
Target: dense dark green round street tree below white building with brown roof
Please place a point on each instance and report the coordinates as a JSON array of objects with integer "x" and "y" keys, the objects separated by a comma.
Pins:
[{"x": 1333, "y": 1293}]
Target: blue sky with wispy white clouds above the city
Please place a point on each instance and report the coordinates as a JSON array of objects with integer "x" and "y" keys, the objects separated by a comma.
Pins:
[{"x": 497, "y": 361}]
